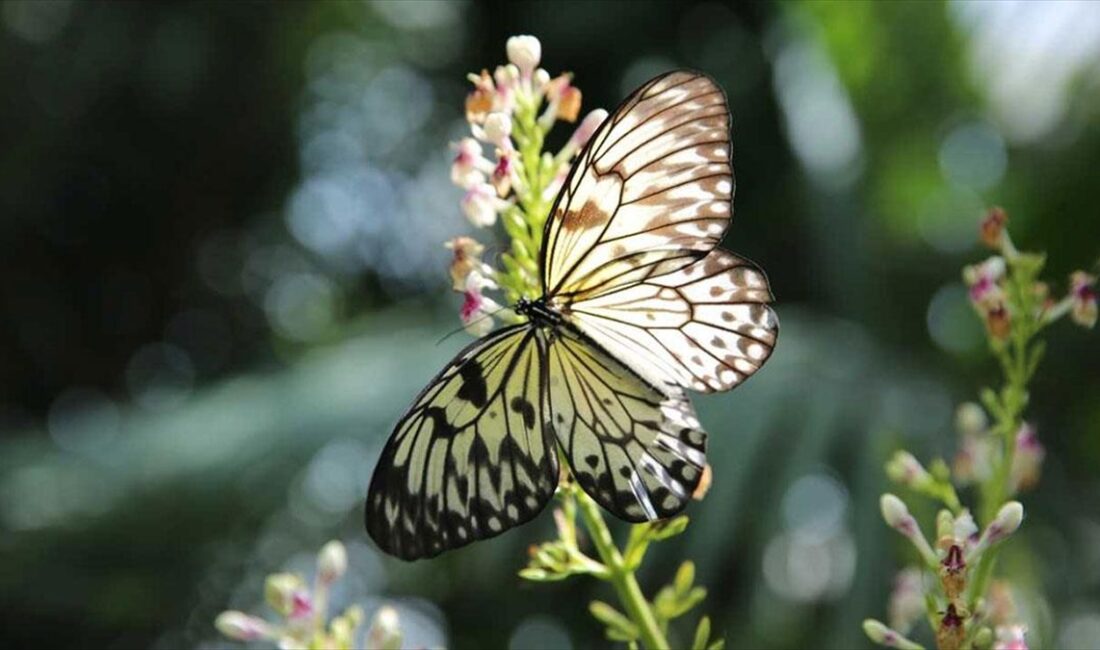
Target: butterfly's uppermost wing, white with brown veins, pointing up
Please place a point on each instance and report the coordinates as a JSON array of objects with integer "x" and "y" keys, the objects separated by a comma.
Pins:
[{"x": 651, "y": 193}]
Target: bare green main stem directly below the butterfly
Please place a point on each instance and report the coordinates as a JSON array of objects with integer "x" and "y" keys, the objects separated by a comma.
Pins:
[{"x": 626, "y": 585}]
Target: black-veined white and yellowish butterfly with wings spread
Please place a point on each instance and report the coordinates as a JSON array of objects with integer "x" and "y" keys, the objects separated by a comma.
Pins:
[{"x": 640, "y": 305}]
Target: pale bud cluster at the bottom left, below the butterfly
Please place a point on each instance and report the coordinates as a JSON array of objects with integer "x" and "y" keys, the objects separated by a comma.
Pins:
[{"x": 303, "y": 613}]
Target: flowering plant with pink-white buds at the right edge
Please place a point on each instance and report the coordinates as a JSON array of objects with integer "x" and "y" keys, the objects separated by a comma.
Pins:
[{"x": 1000, "y": 456}]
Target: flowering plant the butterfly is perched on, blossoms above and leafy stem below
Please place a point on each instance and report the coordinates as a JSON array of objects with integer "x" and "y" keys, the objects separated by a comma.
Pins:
[{"x": 511, "y": 112}]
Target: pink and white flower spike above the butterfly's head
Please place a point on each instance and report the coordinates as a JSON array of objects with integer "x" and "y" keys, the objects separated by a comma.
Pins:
[{"x": 507, "y": 178}]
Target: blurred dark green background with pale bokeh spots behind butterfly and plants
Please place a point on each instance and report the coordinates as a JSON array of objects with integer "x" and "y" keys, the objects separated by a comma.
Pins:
[{"x": 223, "y": 281}]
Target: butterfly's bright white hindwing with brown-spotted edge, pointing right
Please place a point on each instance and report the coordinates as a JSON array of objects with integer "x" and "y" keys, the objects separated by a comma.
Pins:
[{"x": 706, "y": 327}]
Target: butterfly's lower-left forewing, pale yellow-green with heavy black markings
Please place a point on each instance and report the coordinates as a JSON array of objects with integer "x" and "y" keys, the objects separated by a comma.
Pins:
[{"x": 471, "y": 458}]
